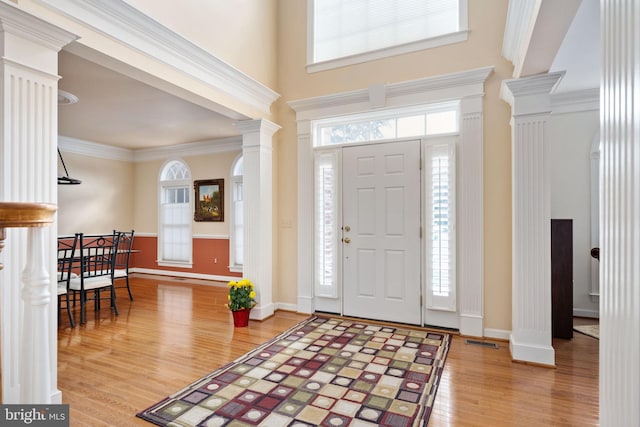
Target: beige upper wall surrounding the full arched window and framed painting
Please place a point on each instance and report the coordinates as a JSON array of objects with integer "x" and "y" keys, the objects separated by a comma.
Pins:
[{"x": 211, "y": 166}]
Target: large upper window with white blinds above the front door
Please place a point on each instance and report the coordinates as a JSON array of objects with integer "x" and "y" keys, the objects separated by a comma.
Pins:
[{"x": 353, "y": 31}]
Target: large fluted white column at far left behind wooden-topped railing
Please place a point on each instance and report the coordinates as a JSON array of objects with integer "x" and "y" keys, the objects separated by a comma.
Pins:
[{"x": 28, "y": 159}]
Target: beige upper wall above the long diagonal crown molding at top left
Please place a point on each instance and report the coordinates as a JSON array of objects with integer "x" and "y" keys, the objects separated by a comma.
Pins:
[{"x": 241, "y": 33}]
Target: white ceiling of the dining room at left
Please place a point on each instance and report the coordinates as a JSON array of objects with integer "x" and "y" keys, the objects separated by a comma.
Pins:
[{"x": 119, "y": 111}]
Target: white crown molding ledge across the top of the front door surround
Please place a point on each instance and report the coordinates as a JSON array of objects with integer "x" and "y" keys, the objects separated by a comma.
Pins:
[{"x": 414, "y": 92}]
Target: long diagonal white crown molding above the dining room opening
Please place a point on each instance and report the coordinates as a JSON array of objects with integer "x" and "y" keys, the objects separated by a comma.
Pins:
[{"x": 127, "y": 25}]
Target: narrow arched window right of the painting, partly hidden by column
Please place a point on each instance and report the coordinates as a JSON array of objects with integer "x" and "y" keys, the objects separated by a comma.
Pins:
[{"x": 236, "y": 227}]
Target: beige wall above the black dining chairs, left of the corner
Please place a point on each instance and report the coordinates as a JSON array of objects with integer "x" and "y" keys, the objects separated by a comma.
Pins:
[{"x": 104, "y": 200}]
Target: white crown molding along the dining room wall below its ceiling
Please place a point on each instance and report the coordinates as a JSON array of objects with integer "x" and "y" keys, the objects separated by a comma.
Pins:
[{"x": 103, "y": 151}]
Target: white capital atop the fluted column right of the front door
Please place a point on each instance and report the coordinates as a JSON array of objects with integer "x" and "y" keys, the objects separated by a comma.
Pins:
[{"x": 530, "y": 95}]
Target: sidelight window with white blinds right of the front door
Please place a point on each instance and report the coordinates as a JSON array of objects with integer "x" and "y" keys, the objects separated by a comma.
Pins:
[{"x": 440, "y": 226}]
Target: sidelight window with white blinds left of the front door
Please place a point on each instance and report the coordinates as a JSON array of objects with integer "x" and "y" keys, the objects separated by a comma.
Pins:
[{"x": 326, "y": 223}]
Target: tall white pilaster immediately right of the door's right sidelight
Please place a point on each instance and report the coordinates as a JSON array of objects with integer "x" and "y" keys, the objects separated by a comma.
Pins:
[{"x": 471, "y": 227}]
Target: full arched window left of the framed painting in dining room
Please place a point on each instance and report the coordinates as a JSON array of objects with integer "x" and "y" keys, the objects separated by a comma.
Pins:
[{"x": 174, "y": 222}]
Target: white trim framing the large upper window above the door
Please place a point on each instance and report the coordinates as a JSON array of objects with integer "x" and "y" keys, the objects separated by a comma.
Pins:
[{"x": 447, "y": 39}]
